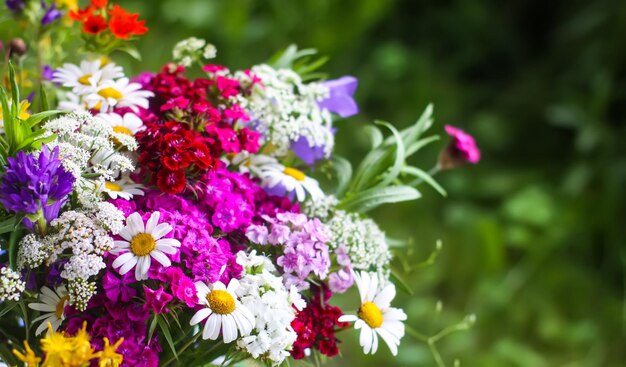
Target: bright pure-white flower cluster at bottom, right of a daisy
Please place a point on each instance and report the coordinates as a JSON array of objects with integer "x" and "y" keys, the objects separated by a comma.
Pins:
[{"x": 262, "y": 291}]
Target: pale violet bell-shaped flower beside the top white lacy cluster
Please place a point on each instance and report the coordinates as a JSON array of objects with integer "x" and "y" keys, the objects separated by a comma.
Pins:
[{"x": 341, "y": 96}]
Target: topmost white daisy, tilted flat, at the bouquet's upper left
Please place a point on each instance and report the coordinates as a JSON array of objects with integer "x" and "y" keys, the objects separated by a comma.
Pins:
[{"x": 85, "y": 78}]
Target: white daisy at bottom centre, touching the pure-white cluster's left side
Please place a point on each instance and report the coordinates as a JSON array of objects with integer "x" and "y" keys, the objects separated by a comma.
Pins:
[{"x": 224, "y": 311}]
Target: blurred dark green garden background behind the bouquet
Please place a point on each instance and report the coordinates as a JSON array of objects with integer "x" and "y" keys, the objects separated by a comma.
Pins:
[{"x": 534, "y": 236}]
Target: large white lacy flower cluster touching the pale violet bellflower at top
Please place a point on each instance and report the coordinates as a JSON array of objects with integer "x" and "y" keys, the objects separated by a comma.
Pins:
[{"x": 284, "y": 109}]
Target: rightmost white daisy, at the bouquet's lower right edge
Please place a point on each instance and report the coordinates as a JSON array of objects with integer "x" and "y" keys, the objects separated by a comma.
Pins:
[{"x": 375, "y": 316}]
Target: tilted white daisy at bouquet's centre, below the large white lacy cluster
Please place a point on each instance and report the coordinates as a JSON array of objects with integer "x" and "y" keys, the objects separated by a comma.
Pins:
[{"x": 281, "y": 180}]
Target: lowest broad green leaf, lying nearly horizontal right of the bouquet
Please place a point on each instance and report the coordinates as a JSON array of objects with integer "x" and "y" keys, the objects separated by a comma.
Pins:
[{"x": 373, "y": 198}]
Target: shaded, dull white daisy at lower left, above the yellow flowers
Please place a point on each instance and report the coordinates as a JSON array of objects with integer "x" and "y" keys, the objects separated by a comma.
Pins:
[{"x": 52, "y": 307}]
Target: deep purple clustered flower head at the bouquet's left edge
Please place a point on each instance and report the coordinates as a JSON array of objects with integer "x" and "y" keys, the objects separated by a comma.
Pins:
[{"x": 36, "y": 186}]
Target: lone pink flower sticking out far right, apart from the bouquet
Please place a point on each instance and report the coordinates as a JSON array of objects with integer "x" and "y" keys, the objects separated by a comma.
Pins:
[{"x": 462, "y": 149}]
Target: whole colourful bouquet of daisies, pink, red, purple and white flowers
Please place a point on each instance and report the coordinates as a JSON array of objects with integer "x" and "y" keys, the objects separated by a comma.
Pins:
[{"x": 166, "y": 220}]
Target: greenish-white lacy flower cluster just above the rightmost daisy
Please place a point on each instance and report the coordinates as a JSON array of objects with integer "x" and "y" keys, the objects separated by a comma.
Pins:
[{"x": 364, "y": 240}]
